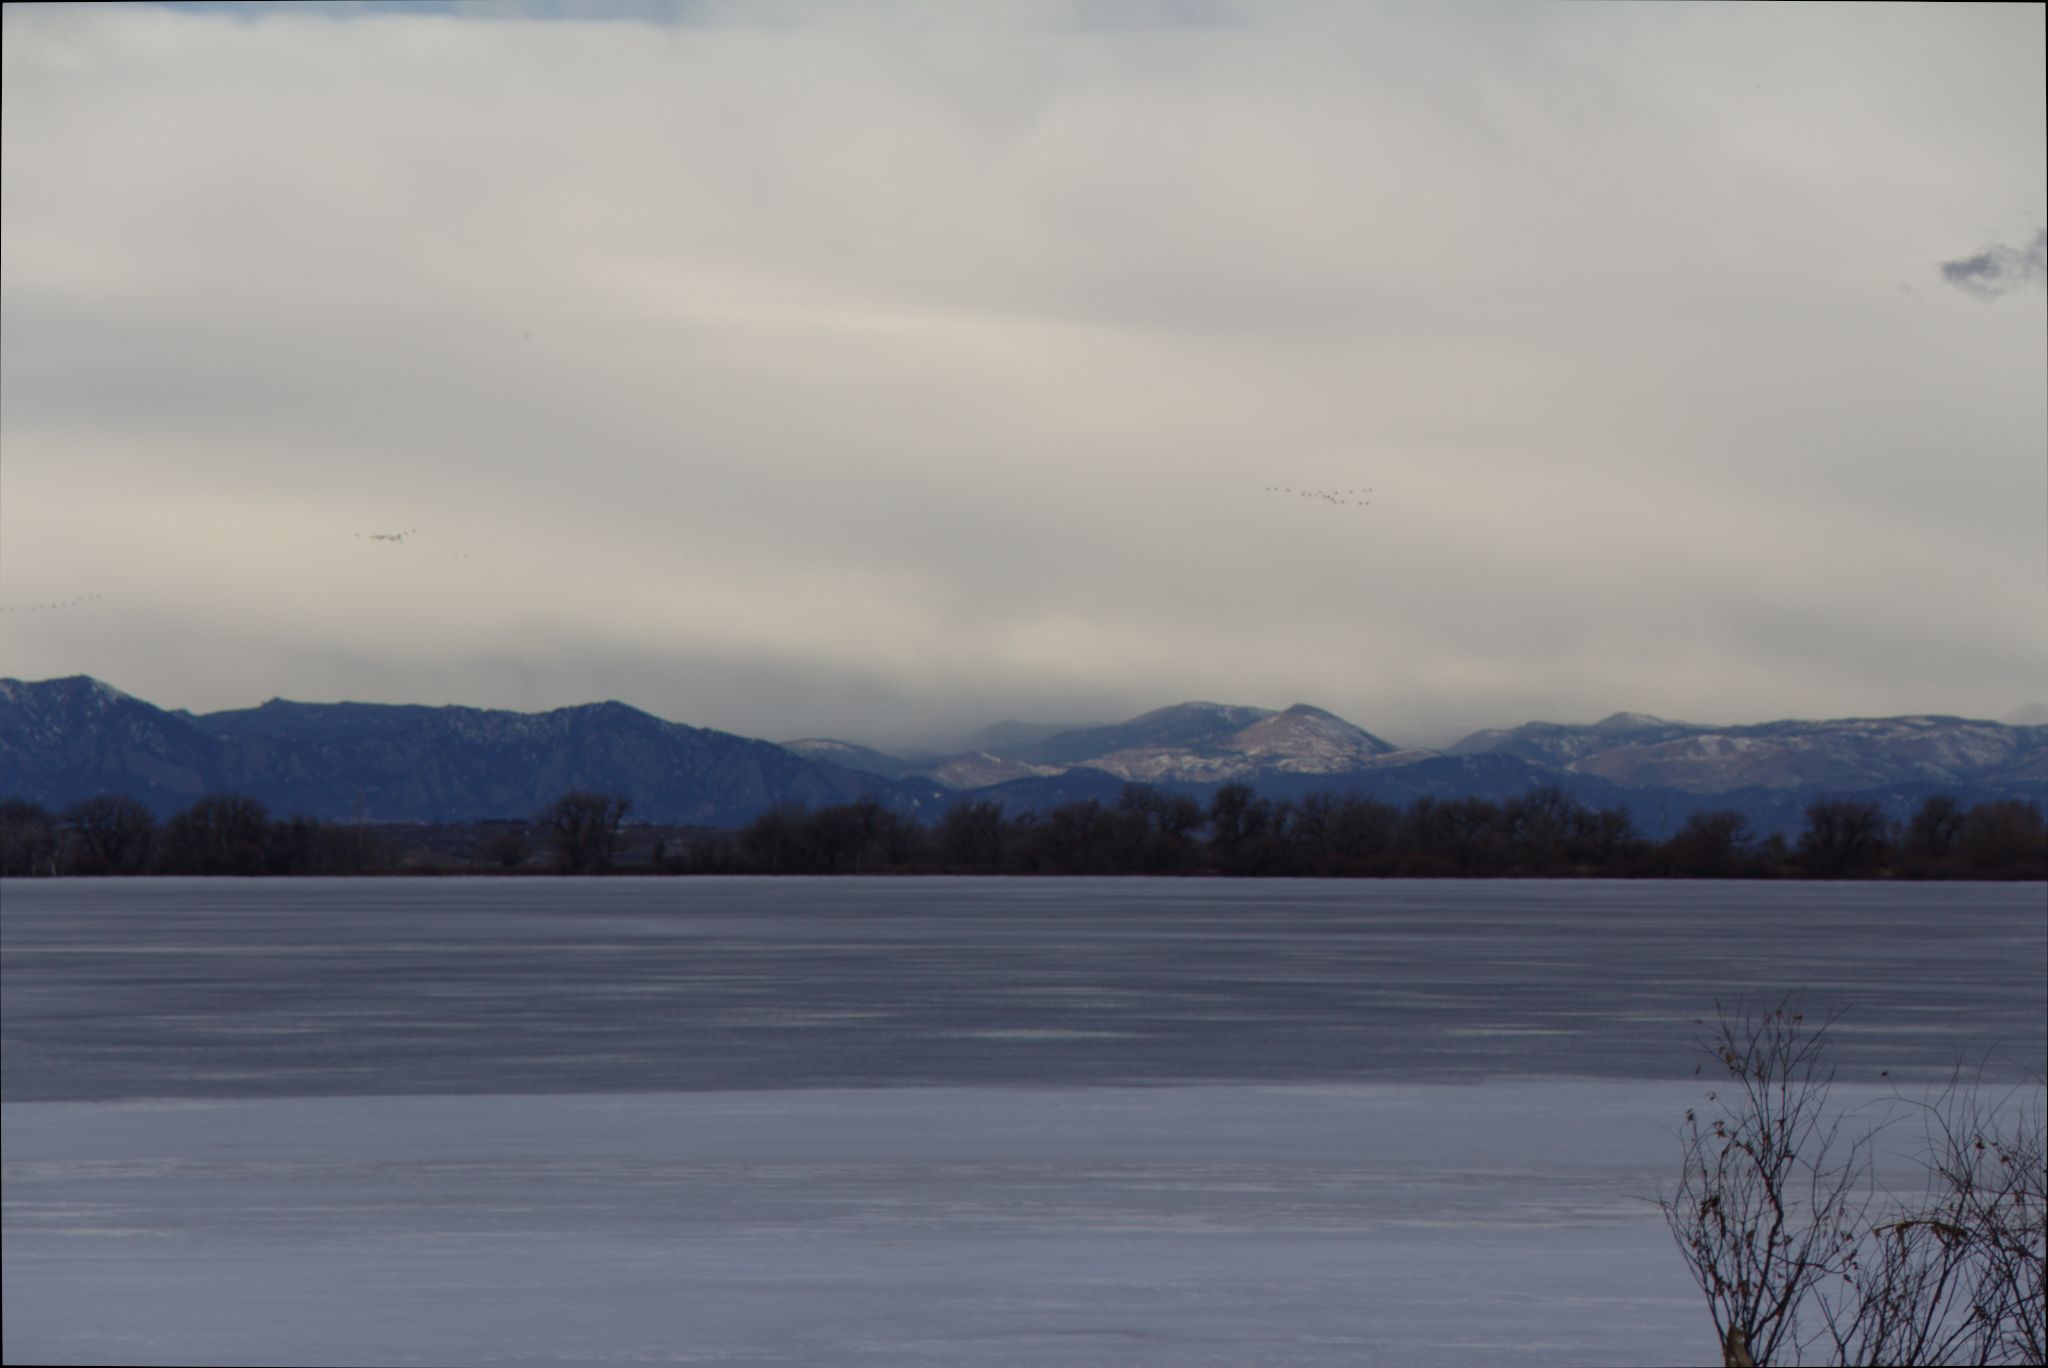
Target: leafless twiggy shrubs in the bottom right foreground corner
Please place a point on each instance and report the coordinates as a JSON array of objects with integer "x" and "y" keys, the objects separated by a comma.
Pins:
[{"x": 1803, "y": 1256}]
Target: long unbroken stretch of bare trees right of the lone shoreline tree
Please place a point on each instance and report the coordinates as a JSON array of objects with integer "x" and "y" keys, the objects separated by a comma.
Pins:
[{"x": 1539, "y": 835}]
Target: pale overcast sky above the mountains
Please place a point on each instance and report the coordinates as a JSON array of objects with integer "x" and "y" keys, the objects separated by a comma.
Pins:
[{"x": 886, "y": 370}]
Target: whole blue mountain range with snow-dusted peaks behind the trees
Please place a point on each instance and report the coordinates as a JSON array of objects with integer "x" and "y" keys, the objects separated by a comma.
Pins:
[{"x": 65, "y": 740}]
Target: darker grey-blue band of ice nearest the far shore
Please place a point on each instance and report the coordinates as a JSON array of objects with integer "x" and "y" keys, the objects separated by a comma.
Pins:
[{"x": 493, "y": 986}]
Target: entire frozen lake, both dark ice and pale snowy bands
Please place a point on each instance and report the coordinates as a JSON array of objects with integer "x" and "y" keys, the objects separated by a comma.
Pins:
[{"x": 914, "y": 1121}]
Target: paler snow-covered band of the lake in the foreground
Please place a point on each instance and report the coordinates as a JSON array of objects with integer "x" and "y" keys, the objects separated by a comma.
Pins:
[{"x": 1504, "y": 1224}]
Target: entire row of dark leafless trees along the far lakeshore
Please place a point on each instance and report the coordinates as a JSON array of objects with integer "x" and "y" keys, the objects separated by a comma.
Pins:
[{"x": 1539, "y": 835}]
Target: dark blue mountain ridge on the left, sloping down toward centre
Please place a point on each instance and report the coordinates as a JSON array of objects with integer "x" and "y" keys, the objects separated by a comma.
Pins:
[{"x": 67, "y": 740}]
